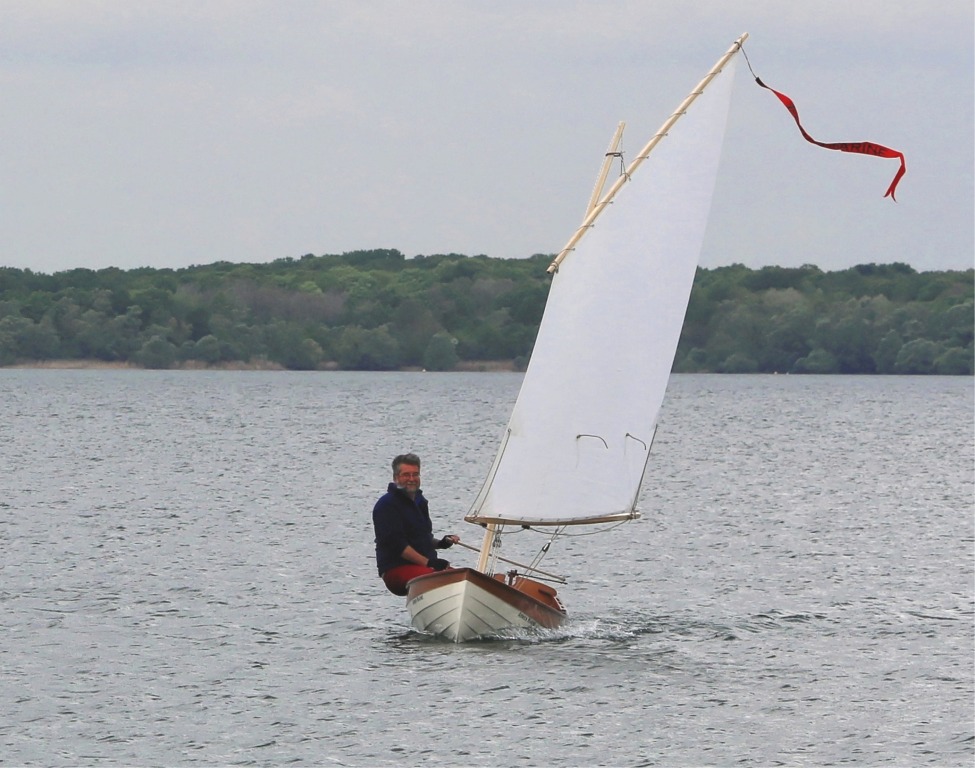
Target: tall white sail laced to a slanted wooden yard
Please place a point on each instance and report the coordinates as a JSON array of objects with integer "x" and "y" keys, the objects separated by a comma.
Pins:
[{"x": 578, "y": 441}]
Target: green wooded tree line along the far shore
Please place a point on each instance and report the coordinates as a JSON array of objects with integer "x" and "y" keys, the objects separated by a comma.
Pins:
[{"x": 378, "y": 310}]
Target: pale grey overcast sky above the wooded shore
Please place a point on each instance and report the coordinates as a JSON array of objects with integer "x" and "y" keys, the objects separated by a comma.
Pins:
[{"x": 172, "y": 133}]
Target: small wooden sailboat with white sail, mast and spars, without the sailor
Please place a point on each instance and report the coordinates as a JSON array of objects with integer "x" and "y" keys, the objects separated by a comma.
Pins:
[{"x": 577, "y": 444}]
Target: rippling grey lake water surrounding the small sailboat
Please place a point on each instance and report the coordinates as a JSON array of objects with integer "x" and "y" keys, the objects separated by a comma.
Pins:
[{"x": 188, "y": 578}]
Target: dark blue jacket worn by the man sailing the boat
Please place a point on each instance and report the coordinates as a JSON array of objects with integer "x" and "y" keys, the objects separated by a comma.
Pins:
[{"x": 400, "y": 521}]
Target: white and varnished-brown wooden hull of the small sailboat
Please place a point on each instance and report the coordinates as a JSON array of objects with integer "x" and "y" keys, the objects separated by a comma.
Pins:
[{"x": 463, "y": 604}]
